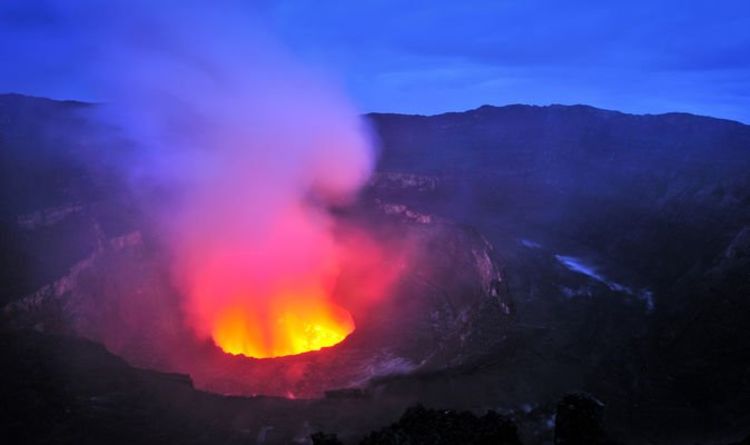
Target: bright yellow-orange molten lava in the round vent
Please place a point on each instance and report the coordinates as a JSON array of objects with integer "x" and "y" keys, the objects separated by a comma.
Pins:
[{"x": 287, "y": 326}]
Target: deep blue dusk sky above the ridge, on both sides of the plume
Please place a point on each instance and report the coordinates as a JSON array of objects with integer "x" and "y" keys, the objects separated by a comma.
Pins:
[{"x": 427, "y": 57}]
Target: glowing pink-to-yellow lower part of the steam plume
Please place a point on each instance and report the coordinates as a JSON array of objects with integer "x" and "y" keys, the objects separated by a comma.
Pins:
[{"x": 273, "y": 297}]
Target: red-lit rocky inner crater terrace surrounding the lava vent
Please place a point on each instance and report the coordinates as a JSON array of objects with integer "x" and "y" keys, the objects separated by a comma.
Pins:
[{"x": 436, "y": 279}]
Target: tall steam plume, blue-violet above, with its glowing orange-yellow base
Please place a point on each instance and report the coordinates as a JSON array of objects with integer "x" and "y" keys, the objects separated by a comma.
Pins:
[{"x": 248, "y": 149}]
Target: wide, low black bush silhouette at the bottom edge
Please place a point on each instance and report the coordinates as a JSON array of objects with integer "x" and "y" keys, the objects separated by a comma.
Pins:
[{"x": 422, "y": 426}]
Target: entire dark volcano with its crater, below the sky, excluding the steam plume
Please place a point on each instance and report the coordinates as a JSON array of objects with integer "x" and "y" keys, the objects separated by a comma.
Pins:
[{"x": 477, "y": 275}]
